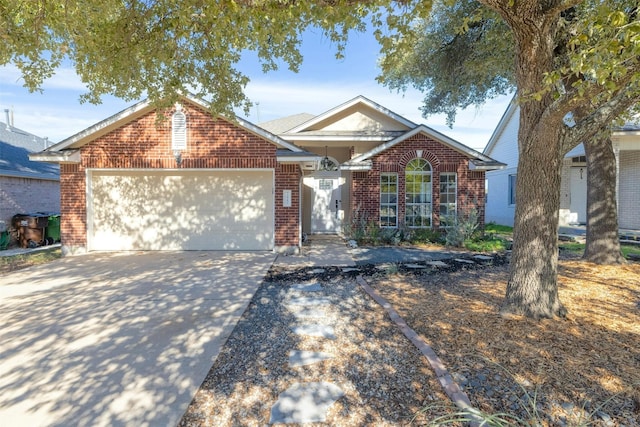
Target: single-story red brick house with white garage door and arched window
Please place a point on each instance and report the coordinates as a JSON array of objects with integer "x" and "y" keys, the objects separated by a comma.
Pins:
[{"x": 195, "y": 182}]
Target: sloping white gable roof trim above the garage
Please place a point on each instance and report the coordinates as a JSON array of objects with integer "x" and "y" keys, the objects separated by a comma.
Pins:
[{"x": 67, "y": 150}]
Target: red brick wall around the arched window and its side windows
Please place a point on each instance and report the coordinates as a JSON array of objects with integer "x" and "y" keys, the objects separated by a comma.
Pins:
[{"x": 365, "y": 186}]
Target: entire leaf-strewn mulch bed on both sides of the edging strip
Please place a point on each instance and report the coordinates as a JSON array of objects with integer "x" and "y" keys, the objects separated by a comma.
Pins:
[{"x": 583, "y": 370}]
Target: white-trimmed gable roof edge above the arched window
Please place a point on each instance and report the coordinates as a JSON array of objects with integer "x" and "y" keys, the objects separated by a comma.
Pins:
[{"x": 478, "y": 161}]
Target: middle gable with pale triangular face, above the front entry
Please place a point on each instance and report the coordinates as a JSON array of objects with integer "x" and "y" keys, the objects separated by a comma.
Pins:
[{"x": 326, "y": 126}]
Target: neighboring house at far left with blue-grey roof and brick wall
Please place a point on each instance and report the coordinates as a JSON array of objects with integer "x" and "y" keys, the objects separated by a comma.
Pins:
[{"x": 25, "y": 186}]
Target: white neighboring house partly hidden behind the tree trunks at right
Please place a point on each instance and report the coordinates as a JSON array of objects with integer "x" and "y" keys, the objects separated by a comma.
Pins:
[{"x": 503, "y": 146}]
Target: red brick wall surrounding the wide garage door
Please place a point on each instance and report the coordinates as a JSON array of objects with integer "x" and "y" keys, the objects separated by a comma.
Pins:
[{"x": 146, "y": 143}]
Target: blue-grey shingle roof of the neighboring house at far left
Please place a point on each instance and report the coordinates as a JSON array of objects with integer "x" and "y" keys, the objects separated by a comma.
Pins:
[{"x": 15, "y": 147}]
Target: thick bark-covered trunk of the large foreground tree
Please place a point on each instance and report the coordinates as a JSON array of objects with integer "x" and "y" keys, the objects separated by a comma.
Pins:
[{"x": 532, "y": 288}]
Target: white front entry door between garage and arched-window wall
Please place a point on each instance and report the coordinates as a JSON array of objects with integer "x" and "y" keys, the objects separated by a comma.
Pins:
[{"x": 326, "y": 209}]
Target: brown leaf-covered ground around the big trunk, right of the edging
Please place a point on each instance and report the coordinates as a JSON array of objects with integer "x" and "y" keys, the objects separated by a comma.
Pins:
[{"x": 582, "y": 369}]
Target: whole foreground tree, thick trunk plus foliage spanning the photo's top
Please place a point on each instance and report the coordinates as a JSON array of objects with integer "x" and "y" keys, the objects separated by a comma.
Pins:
[{"x": 570, "y": 58}]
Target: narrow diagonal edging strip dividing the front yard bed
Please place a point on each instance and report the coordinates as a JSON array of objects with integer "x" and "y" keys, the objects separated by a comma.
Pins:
[{"x": 451, "y": 388}]
